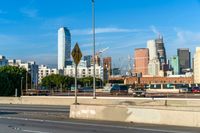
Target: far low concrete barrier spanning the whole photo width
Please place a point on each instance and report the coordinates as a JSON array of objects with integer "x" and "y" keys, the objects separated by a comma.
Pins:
[{"x": 56, "y": 100}]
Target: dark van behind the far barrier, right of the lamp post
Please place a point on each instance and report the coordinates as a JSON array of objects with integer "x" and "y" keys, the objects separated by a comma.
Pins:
[{"x": 119, "y": 89}]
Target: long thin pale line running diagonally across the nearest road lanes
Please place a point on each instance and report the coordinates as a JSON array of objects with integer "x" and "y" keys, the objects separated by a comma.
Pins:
[{"x": 96, "y": 125}]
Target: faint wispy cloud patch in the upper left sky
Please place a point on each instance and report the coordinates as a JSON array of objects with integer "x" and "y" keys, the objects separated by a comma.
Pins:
[{"x": 32, "y": 13}]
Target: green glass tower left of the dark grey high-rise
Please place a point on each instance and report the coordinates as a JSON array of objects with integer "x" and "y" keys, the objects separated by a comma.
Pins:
[{"x": 174, "y": 64}]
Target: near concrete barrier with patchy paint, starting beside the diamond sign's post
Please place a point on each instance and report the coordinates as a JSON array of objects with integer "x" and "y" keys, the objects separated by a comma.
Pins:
[{"x": 167, "y": 116}]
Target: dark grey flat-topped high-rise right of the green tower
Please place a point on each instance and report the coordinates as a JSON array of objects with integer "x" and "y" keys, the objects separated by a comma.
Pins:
[{"x": 184, "y": 59}]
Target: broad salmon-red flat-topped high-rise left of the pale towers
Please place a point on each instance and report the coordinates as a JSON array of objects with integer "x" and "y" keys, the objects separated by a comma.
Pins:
[{"x": 141, "y": 60}]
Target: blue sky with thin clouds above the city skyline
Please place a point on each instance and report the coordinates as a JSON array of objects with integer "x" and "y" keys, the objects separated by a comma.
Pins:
[{"x": 28, "y": 28}]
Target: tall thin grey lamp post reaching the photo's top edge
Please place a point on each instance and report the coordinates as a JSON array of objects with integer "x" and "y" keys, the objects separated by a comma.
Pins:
[{"x": 93, "y": 30}]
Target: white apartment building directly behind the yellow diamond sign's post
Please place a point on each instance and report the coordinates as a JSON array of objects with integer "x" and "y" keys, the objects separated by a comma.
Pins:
[{"x": 83, "y": 70}]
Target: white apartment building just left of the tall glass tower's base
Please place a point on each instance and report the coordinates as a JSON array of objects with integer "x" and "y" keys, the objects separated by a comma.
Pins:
[{"x": 45, "y": 71}]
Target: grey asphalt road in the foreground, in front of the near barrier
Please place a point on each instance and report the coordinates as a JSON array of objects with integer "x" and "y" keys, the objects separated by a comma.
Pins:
[{"x": 54, "y": 119}]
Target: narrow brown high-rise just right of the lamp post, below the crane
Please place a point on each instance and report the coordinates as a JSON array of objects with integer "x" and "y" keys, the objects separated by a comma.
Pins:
[{"x": 107, "y": 67}]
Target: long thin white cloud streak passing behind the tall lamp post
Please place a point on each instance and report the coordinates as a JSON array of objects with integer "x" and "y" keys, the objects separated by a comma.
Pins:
[{"x": 103, "y": 30}]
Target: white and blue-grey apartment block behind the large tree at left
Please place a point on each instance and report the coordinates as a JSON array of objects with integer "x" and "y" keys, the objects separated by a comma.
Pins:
[{"x": 30, "y": 66}]
